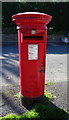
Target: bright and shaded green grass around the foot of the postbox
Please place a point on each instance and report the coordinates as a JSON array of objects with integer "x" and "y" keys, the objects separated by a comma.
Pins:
[{"x": 41, "y": 111}]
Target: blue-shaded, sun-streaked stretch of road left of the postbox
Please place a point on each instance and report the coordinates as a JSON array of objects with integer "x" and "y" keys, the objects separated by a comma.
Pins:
[{"x": 10, "y": 65}]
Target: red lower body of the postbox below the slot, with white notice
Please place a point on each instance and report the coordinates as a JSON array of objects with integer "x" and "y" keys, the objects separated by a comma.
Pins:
[{"x": 32, "y": 69}]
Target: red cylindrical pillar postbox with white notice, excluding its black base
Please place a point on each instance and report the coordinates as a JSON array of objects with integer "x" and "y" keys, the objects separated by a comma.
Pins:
[{"x": 32, "y": 36}]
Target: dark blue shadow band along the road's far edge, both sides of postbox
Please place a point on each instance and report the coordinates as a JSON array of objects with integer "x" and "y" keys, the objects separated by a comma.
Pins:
[{"x": 52, "y": 48}]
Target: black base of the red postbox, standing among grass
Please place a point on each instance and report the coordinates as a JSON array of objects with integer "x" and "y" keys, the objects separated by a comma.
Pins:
[{"x": 28, "y": 102}]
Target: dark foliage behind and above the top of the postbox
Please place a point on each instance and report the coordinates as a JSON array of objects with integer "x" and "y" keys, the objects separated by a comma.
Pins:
[{"x": 58, "y": 10}]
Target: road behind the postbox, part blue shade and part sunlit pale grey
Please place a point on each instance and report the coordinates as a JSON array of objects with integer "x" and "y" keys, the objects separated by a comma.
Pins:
[{"x": 56, "y": 64}]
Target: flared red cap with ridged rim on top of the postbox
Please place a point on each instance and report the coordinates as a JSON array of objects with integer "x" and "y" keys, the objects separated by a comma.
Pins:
[{"x": 31, "y": 18}]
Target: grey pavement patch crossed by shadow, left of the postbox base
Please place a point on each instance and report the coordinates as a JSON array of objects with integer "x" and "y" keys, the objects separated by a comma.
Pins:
[{"x": 10, "y": 104}]
